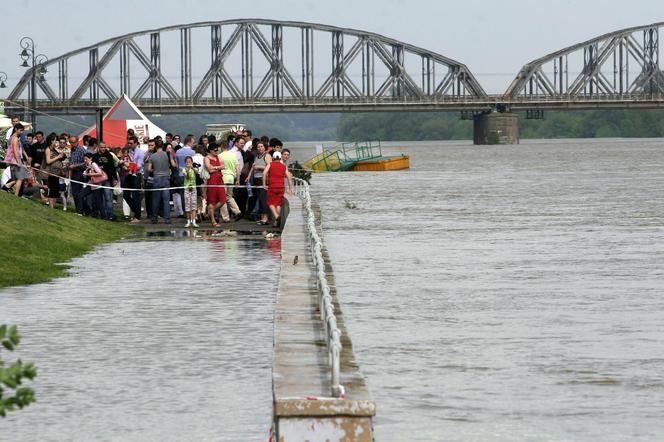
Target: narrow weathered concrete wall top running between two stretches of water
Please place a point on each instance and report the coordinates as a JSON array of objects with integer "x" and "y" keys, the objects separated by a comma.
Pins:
[{"x": 303, "y": 406}]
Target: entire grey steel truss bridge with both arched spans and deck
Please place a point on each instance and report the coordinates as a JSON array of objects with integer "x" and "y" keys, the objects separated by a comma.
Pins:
[{"x": 256, "y": 65}]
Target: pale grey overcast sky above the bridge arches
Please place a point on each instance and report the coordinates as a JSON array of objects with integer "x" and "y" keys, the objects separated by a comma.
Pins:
[{"x": 493, "y": 38}]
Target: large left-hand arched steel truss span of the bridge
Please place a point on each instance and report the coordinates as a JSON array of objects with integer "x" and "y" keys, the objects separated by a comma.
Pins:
[{"x": 262, "y": 61}]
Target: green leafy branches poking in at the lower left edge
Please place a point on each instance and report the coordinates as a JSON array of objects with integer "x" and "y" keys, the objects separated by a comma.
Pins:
[{"x": 12, "y": 395}]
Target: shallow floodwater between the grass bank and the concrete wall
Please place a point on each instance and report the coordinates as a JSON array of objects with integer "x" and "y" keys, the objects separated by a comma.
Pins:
[{"x": 150, "y": 341}]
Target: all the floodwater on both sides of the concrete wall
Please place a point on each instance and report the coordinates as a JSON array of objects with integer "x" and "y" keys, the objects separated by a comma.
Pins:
[{"x": 493, "y": 293}]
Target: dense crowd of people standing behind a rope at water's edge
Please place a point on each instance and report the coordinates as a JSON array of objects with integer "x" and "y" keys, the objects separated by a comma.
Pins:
[{"x": 217, "y": 180}]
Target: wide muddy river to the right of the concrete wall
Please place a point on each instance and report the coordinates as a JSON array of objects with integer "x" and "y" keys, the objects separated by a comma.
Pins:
[{"x": 502, "y": 293}]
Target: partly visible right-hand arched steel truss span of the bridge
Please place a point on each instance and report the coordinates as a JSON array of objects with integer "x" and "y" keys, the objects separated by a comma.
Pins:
[{"x": 617, "y": 64}]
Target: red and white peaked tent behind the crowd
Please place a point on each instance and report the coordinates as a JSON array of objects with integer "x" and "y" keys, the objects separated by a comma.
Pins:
[{"x": 124, "y": 115}]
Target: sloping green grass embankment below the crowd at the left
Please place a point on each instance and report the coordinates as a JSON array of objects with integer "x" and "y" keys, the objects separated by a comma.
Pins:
[{"x": 35, "y": 238}]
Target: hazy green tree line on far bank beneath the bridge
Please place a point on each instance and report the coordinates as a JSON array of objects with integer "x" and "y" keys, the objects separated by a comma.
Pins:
[{"x": 403, "y": 126}]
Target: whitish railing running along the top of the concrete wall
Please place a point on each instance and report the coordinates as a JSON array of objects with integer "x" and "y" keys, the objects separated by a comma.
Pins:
[{"x": 325, "y": 304}]
